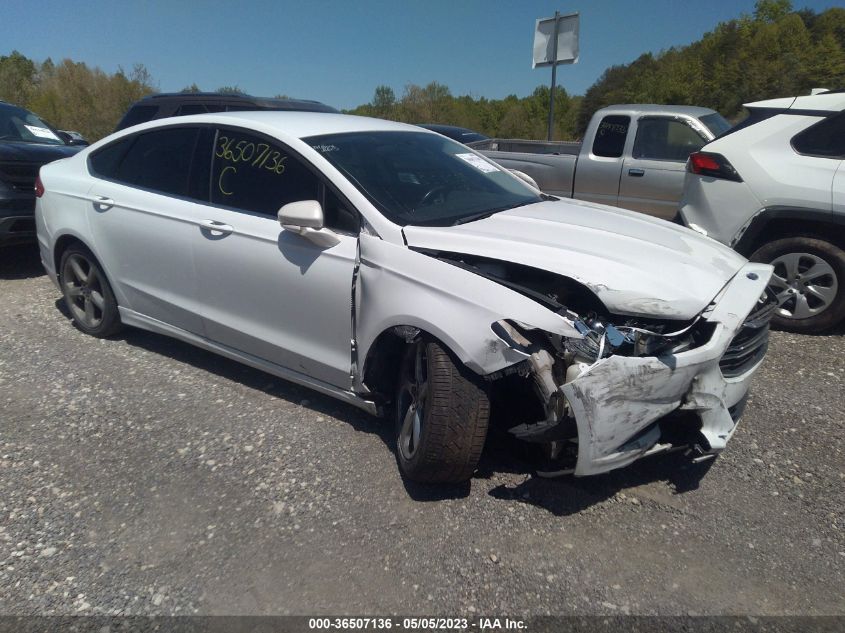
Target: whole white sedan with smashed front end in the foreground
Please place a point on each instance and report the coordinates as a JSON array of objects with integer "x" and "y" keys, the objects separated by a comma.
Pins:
[{"x": 400, "y": 271}]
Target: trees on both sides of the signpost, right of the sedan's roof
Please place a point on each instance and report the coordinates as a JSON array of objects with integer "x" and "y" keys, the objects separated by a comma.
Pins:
[{"x": 775, "y": 52}]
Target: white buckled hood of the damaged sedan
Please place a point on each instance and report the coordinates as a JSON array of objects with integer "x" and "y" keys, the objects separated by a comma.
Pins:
[{"x": 635, "y": 264}]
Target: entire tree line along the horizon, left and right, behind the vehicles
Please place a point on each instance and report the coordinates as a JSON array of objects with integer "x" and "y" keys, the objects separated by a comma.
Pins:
[{"x": 774, "y": 52}]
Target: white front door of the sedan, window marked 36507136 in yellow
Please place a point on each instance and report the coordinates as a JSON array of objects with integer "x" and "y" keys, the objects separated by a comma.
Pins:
[{"x": 266, "y": 291}]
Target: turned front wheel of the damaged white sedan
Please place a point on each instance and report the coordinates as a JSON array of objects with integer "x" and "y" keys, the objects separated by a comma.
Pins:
[{"x": 449, "y": 438}]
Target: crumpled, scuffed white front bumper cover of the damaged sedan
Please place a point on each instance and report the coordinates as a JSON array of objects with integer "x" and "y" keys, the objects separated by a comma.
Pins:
[{"x": 618, "y": 400}]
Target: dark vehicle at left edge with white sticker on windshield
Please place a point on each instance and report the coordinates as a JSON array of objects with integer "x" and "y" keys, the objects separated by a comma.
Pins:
[{"x": 26, "y": 143}]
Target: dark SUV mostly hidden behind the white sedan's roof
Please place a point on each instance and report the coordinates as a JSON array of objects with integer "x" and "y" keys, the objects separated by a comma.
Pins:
[{"x": 163, "y": 105}]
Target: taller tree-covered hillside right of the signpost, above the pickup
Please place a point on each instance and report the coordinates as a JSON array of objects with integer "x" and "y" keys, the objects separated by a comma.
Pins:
[{"x": 776, "y": 52}]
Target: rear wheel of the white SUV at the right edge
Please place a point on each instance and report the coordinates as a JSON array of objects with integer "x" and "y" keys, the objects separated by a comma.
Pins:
[{"x": 809, "y": 281}]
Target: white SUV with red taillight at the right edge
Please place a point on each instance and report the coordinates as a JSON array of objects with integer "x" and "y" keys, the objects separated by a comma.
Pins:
[{"x": 773, "y": 188}]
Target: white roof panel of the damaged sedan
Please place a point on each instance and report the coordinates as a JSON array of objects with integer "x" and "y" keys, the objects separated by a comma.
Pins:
[{"x": 292, "y": 123}]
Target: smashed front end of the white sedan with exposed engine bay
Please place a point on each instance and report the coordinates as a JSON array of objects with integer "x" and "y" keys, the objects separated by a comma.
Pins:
[{"x": 628, "y": 387}]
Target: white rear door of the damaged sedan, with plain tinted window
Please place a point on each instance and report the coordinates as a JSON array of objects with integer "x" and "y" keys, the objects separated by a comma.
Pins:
[{"x": 142, "y": 214}]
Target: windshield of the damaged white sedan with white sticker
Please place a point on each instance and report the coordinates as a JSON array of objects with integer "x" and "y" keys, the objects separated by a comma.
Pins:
[{"x": 417, "y": 178}]
